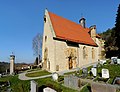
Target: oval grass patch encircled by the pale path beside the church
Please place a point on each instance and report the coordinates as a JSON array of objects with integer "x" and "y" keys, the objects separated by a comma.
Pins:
[{"x": 38, "y": 73}]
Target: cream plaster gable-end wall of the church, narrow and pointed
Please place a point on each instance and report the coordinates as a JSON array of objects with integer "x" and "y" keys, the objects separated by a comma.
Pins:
[{"x": 49, "y": 44}]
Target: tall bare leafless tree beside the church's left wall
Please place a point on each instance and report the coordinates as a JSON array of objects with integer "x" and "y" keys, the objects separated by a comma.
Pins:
[{"x": 37, "y": 45}]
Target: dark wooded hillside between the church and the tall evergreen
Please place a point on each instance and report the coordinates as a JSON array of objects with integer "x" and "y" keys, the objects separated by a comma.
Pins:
[{"x": 110, "y": 41}]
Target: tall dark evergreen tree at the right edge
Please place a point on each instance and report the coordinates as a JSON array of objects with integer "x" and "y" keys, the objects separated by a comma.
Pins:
[{"x": 117, "y": 29}]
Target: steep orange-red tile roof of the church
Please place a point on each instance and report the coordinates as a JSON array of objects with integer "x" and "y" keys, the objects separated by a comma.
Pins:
[{"x": 68, "y": 30}]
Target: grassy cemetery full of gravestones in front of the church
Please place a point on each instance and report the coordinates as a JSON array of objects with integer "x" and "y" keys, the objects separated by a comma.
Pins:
[{"x": 103, "y": 75}]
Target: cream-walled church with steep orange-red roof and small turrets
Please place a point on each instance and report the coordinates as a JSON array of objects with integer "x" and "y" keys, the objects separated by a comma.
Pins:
[{"x": 68, "y": 45}]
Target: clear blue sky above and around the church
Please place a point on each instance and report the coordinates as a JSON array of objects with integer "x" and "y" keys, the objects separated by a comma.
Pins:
[{"x": 21, "y": 20}]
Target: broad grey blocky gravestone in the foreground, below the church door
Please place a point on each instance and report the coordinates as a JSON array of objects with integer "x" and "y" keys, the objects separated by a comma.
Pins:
[{"x": 72, "y": 81}]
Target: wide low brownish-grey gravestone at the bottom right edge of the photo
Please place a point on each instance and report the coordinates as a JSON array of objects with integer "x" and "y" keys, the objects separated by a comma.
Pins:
[{"x": 98, "y": 87}]
